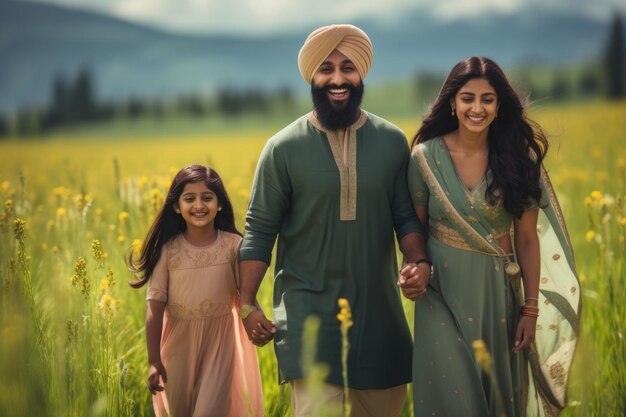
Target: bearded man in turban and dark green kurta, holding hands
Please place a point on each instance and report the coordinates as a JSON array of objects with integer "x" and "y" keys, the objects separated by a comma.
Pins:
[{"x": 332, "y": 186}]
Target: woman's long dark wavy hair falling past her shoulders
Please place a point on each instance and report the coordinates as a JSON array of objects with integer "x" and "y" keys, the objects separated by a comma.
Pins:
[{"x": 517, "y": 145}]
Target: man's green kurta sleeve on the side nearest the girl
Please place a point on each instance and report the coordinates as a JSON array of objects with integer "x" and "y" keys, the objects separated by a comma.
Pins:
[{"x": 269, "y": 201}]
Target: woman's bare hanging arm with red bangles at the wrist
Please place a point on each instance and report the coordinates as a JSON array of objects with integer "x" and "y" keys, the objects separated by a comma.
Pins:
[{"x": 527, "y": 251}]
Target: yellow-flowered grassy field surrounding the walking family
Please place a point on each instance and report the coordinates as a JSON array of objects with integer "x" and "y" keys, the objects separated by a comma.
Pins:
[{"x": 71, "y": 329}]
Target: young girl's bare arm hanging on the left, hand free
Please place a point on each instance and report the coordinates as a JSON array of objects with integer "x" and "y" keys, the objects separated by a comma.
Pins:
[{"x": 154, "y": 327}]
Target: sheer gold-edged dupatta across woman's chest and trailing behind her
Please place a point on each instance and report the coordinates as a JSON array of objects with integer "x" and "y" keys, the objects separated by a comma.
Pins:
[{"x": 550, "y": 357}]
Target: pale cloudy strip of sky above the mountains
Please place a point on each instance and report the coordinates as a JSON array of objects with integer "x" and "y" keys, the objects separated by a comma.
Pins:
[{"x": 271, "y": 16}]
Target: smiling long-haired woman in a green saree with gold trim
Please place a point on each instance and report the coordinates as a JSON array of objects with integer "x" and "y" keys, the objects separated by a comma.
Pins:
[{"x": 489, "y": 341}]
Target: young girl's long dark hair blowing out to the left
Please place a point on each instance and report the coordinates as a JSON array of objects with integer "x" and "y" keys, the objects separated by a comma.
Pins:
[{"x": 168, "y": 223}]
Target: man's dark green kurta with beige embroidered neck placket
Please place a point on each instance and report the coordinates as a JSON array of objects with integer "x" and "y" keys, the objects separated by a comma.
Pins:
[{"x": 335, "y": 209}]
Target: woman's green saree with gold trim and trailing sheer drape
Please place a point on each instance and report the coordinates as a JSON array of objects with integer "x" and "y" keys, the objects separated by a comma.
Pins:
[{"x": 465, "y": 324}]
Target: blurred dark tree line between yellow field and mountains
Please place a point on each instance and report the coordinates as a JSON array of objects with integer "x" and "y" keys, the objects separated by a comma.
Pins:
[{"x": 73, "y": 101}]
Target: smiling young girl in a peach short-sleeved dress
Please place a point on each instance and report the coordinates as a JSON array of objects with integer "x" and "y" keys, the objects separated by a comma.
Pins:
[{"x": 200, "y": 363}]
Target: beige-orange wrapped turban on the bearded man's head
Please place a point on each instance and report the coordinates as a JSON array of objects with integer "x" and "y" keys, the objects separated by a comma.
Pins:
[{"x": 347, "y": 39}]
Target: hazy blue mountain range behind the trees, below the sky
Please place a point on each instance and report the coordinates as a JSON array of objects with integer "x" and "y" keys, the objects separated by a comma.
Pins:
[{"x": 39, "y": 42}]
